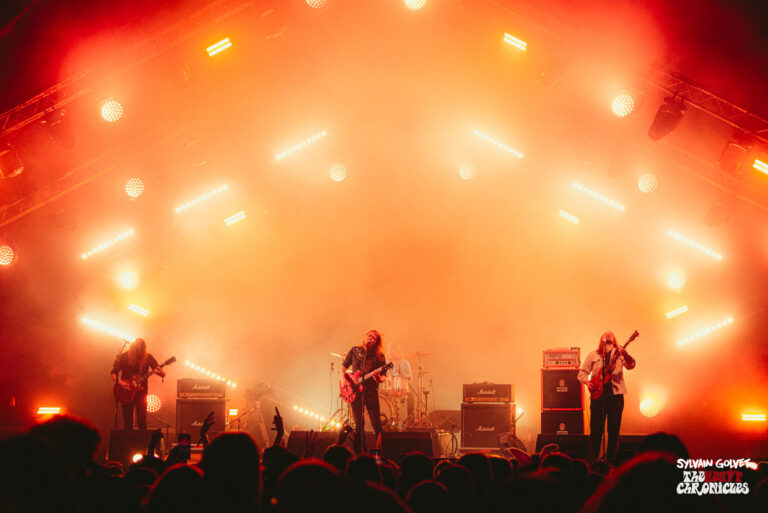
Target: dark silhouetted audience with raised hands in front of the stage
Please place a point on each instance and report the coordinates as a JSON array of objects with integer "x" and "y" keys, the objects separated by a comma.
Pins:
[{"x": 52, "y": 469}]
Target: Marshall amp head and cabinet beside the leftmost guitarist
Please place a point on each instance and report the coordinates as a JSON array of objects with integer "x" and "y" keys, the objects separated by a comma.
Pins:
[{"x": 196, "y": 398}]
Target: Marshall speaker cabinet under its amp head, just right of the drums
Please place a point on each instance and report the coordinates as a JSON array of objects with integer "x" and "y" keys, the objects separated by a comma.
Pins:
[{"x": 483, "y": 424}]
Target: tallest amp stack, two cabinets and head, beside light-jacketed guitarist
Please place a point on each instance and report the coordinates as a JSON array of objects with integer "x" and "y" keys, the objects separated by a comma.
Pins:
[{"x": 562, "y": 395}]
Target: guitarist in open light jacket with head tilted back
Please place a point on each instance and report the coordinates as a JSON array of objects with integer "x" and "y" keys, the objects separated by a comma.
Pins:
[{"x": 610, "y": 404}]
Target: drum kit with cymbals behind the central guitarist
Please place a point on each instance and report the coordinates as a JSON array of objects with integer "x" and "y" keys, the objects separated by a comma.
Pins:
[{"x": 403, "y": 399}]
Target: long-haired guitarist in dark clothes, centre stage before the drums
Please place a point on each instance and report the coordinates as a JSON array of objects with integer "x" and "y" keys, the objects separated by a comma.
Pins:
[{"x": 369, "y": 355}]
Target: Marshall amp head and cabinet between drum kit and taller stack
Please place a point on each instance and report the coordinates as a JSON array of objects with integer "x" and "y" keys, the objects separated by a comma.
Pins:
[{"x": 486, "y": 414}]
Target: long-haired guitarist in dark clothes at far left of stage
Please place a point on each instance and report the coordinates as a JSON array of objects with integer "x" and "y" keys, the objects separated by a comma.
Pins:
[{"x": 128, "y": 365}]
